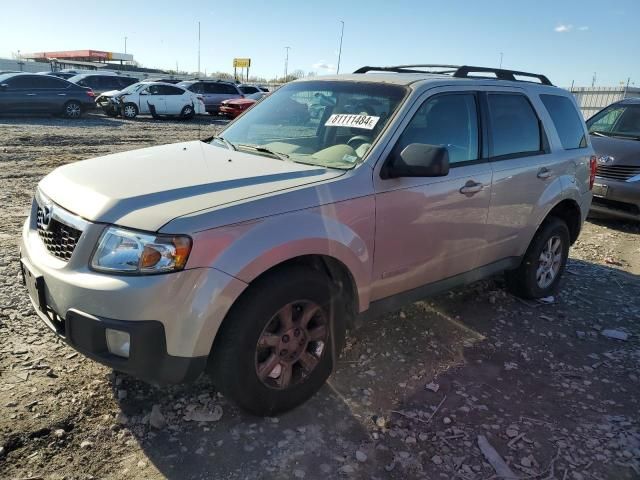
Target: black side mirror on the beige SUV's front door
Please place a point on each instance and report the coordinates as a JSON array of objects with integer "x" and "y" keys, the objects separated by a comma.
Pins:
[{"x": 419, "y": 160}]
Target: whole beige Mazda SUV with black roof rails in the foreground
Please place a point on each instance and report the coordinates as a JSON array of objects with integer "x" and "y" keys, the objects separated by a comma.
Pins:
[{"x": 250, "y": 254}]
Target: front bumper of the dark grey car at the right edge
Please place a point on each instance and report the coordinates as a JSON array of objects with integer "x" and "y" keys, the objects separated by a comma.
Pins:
[{"x": 617, "y": 199}]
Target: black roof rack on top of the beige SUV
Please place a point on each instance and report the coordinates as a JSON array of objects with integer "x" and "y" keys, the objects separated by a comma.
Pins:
[{"x": 464, "y": 71}]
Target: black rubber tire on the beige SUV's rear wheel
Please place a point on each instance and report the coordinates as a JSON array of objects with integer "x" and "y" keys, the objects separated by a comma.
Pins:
[{"x": 524, "y": 280}]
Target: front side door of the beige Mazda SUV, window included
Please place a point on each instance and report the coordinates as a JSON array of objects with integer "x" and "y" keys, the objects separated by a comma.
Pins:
[{"x": 429, "y": 229}]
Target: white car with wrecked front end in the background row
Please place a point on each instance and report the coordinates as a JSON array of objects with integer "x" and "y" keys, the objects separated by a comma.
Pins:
[{"x": 155, "y": 98}]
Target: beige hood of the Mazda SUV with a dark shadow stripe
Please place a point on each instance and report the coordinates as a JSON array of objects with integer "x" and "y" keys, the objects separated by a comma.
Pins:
[{"x": 147, "y": 188}]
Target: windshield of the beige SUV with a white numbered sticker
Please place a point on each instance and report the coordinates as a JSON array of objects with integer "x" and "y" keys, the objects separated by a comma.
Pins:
[{"x": 327, "y": 123}]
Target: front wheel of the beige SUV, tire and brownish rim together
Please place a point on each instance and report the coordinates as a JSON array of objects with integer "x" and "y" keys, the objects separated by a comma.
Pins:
[{"x": 276, "y": 347}]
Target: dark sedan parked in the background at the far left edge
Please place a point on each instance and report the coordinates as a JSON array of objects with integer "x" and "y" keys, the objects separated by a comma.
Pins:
[{"x": 33, "y": 93}]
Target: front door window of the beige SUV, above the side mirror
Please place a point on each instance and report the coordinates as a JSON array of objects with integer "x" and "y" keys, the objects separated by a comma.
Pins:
[{"x": 450, "y": 121}]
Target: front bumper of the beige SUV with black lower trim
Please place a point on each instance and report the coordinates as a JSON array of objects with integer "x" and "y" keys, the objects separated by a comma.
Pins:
[{"x": 172, "y": 319}]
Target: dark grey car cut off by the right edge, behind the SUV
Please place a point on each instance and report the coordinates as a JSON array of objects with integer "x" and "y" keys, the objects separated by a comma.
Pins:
[{"x": 615, "y": 136}]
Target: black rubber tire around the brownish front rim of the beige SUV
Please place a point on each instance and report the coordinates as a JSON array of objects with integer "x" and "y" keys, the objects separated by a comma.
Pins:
[{"x": 234, "y": 360}]
